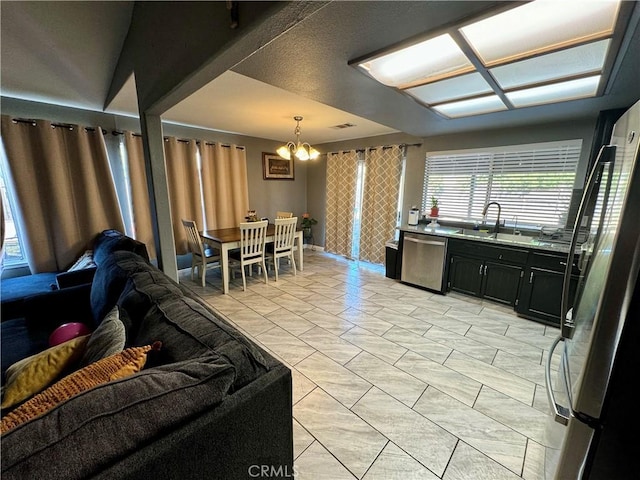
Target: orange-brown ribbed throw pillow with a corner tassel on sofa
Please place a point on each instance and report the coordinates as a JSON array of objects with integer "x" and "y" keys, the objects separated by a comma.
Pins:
[{"x": 120, "y": 365}]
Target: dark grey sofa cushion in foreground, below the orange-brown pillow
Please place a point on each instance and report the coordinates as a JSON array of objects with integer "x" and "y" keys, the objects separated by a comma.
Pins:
[{"x": 95, "y": 429}]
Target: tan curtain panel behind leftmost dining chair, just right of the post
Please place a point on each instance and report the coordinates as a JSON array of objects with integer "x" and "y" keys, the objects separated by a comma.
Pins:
[{"x": 183, "y": 178}]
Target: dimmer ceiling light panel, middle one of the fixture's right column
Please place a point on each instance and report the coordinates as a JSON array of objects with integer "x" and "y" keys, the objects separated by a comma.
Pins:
[{"x": 584, "y": 59}]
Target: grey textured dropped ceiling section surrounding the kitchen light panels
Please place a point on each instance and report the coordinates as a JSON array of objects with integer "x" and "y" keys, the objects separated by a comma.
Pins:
[{"x": 322, "y": 46}]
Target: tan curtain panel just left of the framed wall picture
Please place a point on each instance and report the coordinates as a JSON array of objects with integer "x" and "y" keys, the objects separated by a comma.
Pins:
[{"x": 225, "y": 185}]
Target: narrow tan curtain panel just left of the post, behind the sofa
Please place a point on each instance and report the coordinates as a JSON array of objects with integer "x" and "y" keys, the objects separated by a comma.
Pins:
[{"x": 140, "y": 205}]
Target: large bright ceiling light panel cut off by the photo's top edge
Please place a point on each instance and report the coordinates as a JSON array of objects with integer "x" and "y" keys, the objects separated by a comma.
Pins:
[{"x": 539, "y": 27}]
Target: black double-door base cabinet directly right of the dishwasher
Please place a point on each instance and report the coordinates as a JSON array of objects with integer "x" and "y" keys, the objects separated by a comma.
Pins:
[{"x": 489, "y": 272}]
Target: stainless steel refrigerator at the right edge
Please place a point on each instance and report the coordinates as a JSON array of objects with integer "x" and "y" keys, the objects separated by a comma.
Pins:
[{"x": 593, "y": 367}]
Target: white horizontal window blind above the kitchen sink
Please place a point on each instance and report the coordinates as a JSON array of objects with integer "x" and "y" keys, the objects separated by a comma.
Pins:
[{"x": 531, "y": 182}]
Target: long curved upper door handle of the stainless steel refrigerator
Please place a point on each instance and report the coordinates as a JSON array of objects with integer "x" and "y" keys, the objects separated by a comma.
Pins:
[{"x": 606, "y": 154}]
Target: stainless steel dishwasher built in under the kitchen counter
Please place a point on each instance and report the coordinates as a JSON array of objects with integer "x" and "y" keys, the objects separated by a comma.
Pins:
[{"x": 423, "y": 261}]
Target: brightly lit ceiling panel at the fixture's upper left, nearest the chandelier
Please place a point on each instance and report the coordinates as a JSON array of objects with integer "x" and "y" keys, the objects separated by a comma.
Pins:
[{"x": 426, "y": 61}]
